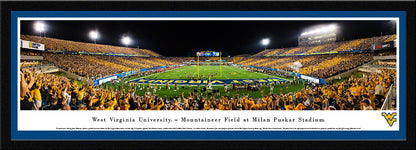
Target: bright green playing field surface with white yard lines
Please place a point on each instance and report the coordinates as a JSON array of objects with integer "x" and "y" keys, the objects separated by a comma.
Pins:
[{"x": 227, "y": 72}]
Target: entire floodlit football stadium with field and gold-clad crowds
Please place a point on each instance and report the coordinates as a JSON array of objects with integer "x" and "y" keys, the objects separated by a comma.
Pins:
[{"x": 321, "y": 71}]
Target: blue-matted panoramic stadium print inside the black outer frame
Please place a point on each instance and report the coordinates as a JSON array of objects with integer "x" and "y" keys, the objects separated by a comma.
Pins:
[{"x": 208, "y": 75}]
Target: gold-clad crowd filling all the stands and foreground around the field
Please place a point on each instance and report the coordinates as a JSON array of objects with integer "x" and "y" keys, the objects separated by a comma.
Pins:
[{"x": 40, "y": 90}]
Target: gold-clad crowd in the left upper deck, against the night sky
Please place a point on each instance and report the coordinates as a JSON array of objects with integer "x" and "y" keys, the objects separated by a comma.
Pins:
[{"x": 66, "y": 45}]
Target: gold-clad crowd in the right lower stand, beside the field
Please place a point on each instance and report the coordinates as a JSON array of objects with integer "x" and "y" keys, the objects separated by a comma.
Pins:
[{"x": 321, "y": 66}]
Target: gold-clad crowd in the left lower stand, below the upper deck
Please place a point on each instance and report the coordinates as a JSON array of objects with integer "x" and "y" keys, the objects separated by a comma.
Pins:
[{"x": 98, "y": 66}]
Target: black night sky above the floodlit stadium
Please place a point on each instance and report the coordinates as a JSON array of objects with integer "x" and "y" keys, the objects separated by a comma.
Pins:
[{"x": 183, "y": 38}]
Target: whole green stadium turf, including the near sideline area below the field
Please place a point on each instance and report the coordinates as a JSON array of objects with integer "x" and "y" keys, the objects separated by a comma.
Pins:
[{"x": 228, "y": 72}]
